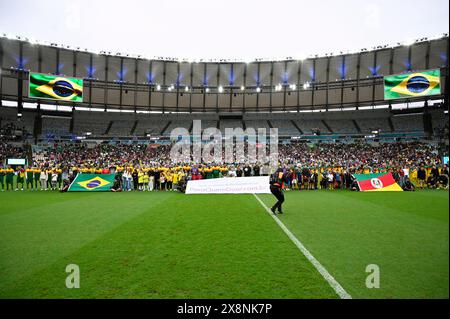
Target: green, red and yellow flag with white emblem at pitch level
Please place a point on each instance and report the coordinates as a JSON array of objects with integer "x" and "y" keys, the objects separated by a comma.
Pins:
[{"x": 377, "y": 182}]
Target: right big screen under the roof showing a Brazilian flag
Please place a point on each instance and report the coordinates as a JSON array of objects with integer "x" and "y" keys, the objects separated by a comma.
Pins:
[{"x": 412, "y": 84}]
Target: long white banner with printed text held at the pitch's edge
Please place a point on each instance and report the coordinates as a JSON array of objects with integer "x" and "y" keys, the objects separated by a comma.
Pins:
[{"x": 230, "y": 185}]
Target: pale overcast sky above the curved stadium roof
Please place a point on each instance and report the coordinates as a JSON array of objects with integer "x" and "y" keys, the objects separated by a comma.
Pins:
[{"x": 234, "y": 29}]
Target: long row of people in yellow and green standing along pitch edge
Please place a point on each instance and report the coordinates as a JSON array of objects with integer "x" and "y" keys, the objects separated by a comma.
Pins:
[{"x": 168, "y": 177}]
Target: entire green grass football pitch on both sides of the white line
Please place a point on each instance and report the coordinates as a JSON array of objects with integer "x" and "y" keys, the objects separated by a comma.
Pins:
[{"x": 171, "y": 245}]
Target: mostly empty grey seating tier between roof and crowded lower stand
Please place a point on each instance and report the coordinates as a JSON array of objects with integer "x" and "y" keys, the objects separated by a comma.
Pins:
[{"x": 51, "y": 125}]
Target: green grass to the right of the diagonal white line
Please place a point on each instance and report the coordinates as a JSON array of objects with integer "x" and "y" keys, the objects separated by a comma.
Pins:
[{"x": 405, "y": 234}]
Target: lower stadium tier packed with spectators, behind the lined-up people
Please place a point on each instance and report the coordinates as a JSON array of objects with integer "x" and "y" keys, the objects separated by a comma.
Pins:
[{"x": 312, "y": 155}]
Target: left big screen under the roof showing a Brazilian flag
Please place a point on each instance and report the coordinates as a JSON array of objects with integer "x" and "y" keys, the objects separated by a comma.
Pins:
[{"x": 55, "y": 87}]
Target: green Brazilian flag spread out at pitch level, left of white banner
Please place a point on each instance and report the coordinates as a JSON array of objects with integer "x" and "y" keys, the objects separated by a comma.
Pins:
[{"x": 92, "y": 183}]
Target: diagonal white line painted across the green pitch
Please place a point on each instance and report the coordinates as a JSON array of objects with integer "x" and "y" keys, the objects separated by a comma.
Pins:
[{"x": 321, "y": 269}]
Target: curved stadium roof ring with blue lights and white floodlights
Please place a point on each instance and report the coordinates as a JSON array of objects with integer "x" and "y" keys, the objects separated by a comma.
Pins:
[{"x": 116, "y": 81}]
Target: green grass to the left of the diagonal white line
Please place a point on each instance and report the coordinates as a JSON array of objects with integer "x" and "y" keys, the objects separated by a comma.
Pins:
[{"x": 141, "y": 245}]
